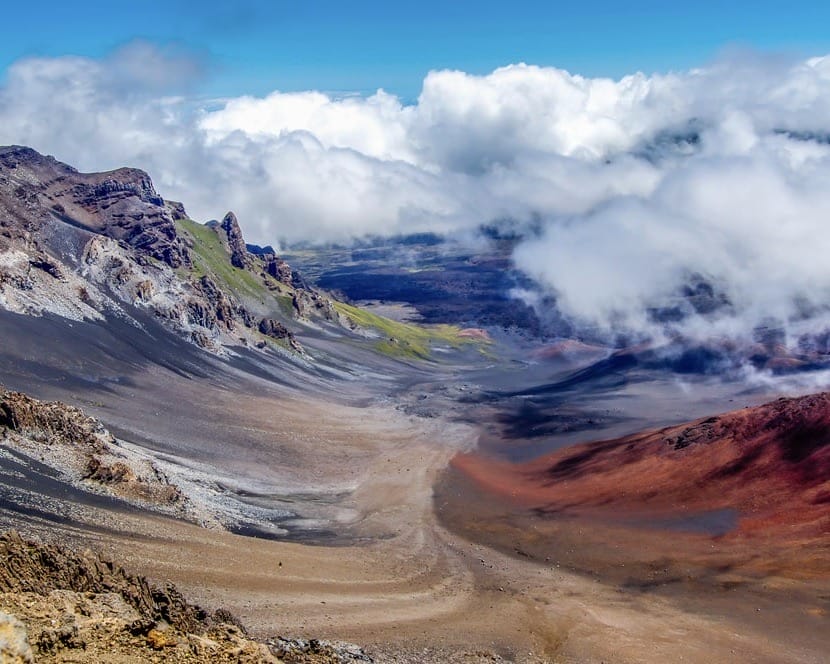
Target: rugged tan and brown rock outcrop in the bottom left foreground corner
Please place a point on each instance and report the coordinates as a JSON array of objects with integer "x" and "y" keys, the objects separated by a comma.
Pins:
[{"x": 57, "y": 606}]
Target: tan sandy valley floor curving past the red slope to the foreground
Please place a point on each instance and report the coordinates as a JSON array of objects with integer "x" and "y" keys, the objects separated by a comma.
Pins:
[{"x": 397, "y": 580}]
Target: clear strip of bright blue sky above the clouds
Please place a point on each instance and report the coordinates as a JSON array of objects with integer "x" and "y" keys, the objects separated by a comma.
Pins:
[{"x": 254, "y": 47}]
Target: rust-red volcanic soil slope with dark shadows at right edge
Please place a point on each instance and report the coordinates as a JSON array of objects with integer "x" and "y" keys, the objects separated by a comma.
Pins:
[{"x": 770, "y": 463}]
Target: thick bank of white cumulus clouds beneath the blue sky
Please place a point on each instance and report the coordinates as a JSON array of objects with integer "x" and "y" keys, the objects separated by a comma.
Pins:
[{"x": 635, "y": 187}]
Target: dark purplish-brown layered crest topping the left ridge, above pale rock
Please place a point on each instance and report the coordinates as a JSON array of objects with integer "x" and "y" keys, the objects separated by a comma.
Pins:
[{"x": 122, "y": 204}]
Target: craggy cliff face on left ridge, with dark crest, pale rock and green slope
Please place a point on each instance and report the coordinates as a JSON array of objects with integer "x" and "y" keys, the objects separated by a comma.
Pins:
[{"x": 93, "y": 245}]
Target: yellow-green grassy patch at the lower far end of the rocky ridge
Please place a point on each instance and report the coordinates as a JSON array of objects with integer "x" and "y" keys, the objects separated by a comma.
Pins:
[{"x": 405, "y": 340}]
